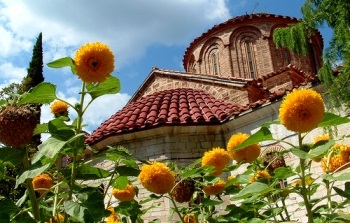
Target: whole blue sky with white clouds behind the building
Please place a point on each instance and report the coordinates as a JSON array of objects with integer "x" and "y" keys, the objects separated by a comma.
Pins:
[{"x": 142, "y": 34}]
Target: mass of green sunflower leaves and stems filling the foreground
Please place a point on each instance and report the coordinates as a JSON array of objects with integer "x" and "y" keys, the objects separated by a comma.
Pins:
[{"x": 80, "y": 192}]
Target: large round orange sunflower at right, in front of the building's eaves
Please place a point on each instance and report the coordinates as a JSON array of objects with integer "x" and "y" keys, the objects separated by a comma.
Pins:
[{"x": 302, "y": 110}]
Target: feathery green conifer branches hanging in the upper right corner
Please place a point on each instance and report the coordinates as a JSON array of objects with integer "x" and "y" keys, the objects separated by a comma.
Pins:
[{"x": 335, "y": 73}]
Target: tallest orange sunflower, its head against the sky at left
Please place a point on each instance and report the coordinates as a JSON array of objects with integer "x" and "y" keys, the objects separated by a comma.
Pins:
[{"x": 94, "y": 62}]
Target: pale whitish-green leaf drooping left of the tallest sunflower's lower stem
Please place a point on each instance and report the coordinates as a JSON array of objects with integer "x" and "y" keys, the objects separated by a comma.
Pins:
[{"x": 49, "y": 148}]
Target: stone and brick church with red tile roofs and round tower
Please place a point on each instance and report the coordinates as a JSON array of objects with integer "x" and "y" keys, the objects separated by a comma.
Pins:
[{"x": 234, "y": 80}]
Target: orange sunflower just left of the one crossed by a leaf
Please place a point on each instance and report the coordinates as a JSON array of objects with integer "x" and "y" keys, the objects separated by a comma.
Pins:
[{"x": 218, "y": 158}]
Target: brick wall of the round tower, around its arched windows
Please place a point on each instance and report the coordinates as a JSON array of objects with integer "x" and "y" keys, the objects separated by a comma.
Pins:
[{"x": 231, "y": 61}]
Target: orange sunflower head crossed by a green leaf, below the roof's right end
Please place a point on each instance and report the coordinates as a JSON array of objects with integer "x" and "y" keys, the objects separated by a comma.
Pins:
[{"x": 247, "y": 154}]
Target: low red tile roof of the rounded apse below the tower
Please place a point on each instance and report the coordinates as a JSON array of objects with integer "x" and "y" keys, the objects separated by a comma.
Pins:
[{"x": 181, "y": 106}]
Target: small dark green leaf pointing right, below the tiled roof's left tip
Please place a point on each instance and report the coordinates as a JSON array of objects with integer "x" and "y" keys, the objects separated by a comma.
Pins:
[{"x": 87, "y": 172}]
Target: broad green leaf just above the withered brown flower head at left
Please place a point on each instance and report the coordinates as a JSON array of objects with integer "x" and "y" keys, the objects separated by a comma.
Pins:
[{"x": 43, "y": 93}]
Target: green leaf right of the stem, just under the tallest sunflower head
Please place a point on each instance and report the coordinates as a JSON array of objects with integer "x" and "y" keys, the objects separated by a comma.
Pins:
[{"x": 110, "y": 86}]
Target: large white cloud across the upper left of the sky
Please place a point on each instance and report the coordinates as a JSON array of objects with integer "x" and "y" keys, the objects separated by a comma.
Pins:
[{"x": 128, "y": 27}]
